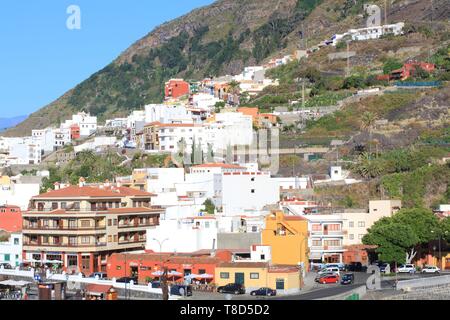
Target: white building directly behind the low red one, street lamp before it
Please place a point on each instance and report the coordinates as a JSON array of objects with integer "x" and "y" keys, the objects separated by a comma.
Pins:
[{"x": 183, "y": 235}]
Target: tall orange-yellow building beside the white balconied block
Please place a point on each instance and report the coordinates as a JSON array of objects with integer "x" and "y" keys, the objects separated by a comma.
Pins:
[{"x": 288, "y": 238}]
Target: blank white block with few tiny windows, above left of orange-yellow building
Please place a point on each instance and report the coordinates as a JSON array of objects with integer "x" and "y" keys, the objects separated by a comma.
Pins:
[{"x": 238, "y": 193}]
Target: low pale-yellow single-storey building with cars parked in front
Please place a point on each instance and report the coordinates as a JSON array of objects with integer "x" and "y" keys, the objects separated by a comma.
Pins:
[{"x": 255, "y": 275}]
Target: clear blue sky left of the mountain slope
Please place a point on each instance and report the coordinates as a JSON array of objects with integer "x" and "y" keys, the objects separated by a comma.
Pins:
[{"x": 41, "y": 58}]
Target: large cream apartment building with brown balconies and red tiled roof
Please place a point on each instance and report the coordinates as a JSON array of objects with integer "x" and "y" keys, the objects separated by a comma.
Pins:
[{"x": 80, "y": 226}]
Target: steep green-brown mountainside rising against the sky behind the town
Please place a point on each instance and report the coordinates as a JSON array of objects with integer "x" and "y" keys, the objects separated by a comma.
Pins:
[{"x": 217, "y": 39}]
